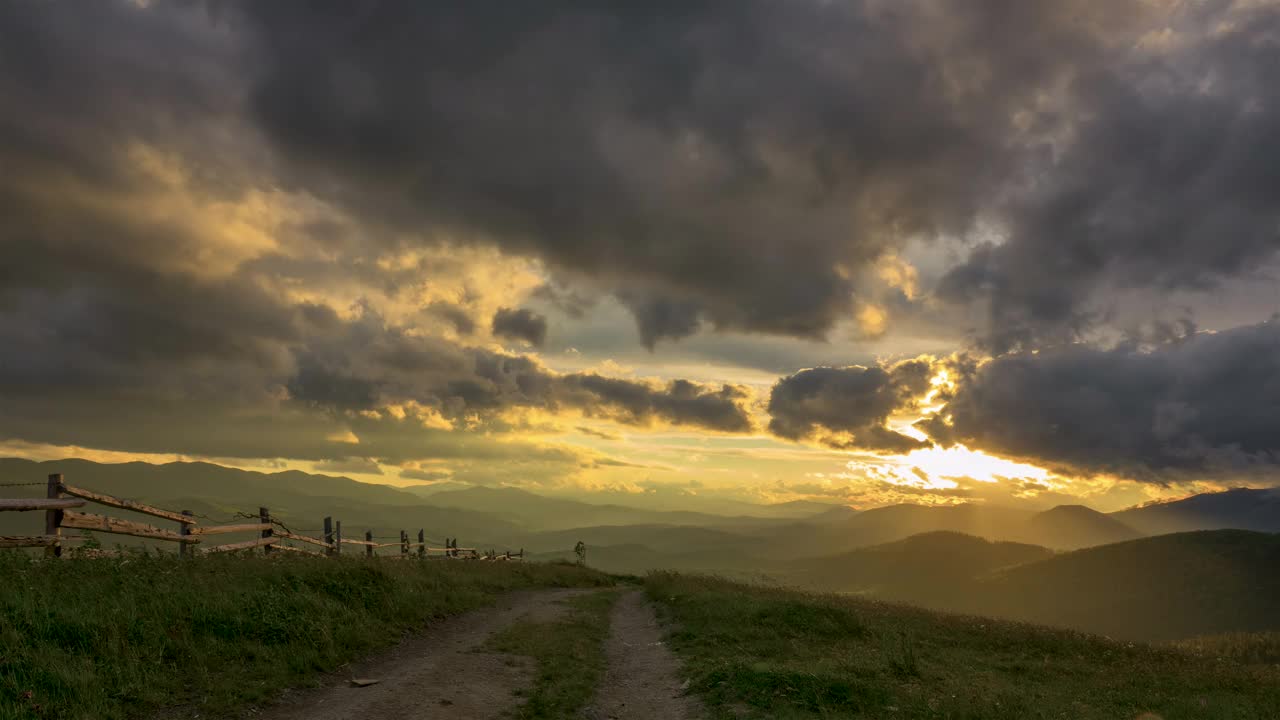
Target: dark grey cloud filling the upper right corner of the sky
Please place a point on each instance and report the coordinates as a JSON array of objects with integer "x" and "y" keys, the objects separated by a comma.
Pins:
[{"x": 1171, "y": 183}]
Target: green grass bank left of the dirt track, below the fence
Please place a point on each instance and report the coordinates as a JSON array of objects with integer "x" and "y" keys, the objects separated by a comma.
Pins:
[{"x": 111, "y": 639}]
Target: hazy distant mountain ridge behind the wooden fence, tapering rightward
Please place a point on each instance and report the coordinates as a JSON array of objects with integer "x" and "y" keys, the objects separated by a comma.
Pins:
[{"x": 303, "y": 500}]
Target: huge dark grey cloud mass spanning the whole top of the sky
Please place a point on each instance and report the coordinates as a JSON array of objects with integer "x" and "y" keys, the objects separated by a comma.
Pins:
[{"x": 697, "y": 160}]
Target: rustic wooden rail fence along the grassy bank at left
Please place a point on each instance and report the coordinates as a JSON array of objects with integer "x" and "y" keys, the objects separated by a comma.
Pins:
[{"x": 62, "y": 502}]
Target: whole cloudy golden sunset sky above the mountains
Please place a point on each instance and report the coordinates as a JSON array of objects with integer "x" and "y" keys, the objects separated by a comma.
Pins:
[{"x": 678, "y": 254}]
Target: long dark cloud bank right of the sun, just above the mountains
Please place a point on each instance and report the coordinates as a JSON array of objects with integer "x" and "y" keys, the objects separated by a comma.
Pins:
[{"x": 1206, "y": 403}]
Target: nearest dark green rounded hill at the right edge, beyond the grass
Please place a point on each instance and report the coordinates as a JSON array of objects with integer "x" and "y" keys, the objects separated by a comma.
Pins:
[{"x": 1165, "y": 587}]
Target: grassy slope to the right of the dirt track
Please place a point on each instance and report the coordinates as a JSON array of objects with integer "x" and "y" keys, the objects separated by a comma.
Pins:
[{"x": 765, "y": 653}]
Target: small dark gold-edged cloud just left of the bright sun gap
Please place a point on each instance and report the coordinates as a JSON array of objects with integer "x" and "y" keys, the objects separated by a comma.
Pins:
[{"x": 849, "y": 407}]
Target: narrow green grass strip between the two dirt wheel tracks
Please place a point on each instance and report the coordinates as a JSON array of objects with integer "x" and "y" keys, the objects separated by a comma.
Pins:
[{"x": 569, "y": 653}]
